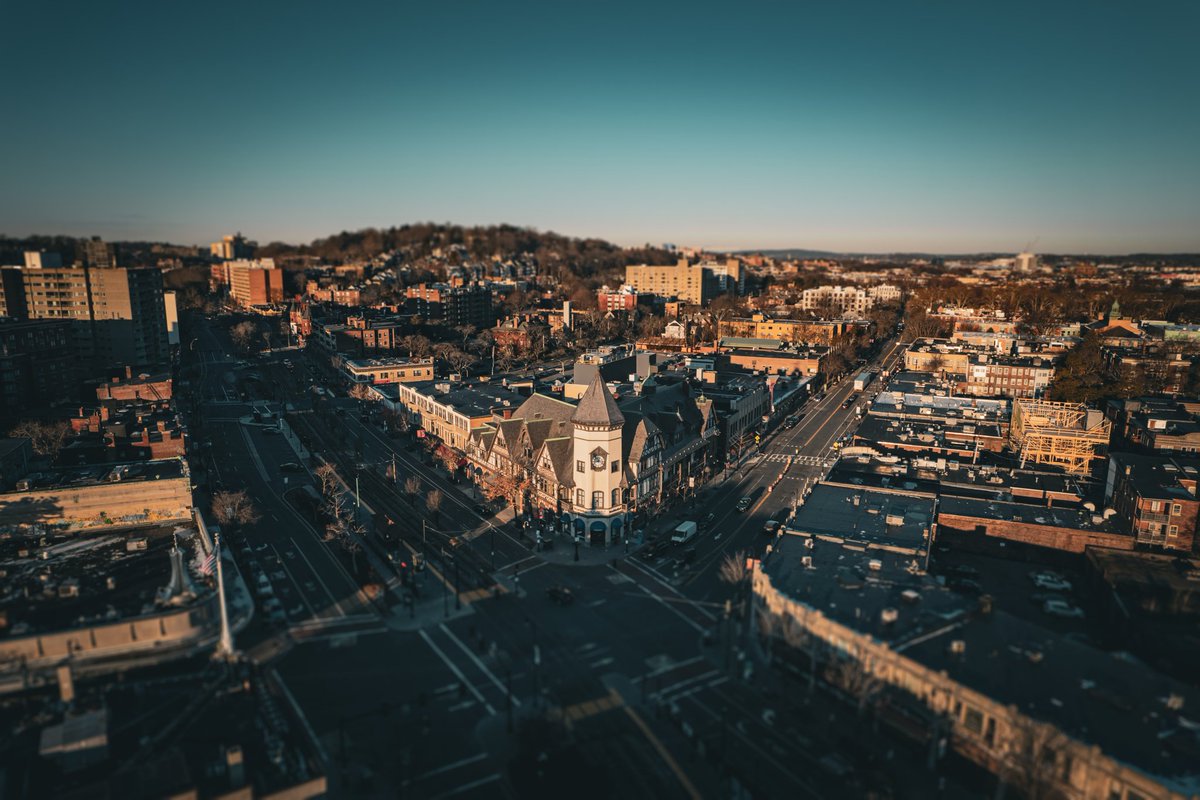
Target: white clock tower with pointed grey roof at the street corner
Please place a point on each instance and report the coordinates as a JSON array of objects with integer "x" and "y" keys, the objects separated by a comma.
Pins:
[{"x": 598, "y": 504}]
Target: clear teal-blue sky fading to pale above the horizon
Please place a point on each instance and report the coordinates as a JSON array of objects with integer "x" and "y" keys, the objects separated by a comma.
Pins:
[{"x": 928, "y": 125}]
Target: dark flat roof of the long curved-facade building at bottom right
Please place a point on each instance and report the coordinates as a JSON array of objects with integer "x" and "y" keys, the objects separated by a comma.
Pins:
[{"x": 1108, "y": 700}]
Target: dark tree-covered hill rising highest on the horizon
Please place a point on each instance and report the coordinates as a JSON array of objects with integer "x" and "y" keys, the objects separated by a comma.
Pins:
[{"x": 583, "y": 258}]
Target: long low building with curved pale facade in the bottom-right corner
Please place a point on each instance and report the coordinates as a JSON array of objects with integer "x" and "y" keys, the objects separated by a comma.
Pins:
[{"x": 1049, "y": 715}]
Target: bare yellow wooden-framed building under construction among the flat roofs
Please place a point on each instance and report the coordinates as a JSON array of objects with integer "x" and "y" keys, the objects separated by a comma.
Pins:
[{"x": 1067, "y": 435}]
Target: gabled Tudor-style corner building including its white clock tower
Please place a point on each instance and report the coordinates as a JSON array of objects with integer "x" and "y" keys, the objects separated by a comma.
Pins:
[{"x": 595, "y": 466}]
